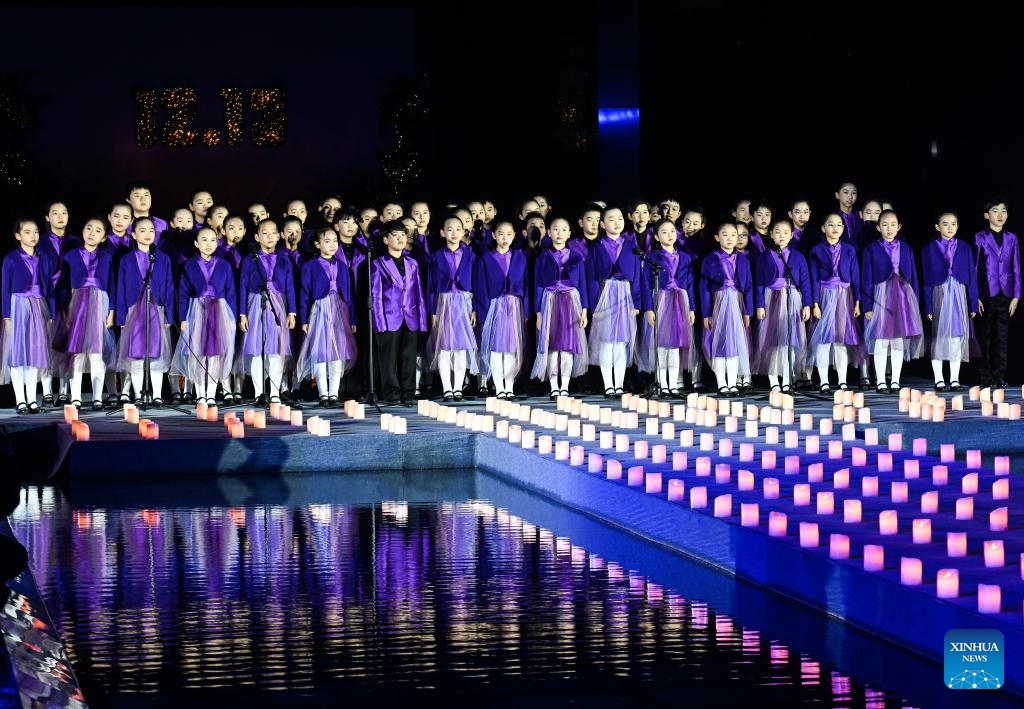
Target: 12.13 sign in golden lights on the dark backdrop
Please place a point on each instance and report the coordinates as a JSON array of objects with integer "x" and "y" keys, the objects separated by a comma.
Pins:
[{"x": 178, "y": 107}]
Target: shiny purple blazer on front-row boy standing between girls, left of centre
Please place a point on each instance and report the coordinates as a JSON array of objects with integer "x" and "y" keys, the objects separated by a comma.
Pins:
[{"x": 397, "y": 300}]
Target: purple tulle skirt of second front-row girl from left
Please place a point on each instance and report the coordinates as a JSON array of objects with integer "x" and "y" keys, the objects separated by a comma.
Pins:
[{"x": 83, "y": 331}]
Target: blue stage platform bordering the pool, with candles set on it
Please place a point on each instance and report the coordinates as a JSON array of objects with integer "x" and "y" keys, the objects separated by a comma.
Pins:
[{"x": 693, "y": 502}]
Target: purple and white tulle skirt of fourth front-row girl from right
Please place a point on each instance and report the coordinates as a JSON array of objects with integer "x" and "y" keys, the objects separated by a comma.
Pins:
[{"x": 782, "y": 338}]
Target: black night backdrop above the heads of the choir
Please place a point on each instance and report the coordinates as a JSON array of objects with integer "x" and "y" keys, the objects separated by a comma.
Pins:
[{"x": 460, "y": 101}]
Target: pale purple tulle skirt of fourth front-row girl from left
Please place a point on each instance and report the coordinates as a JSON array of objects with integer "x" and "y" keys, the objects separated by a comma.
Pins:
[{"x": 207, "y": 346}]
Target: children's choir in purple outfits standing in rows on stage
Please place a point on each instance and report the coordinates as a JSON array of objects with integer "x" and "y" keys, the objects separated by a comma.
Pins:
[{"x": 204, "y": 305}]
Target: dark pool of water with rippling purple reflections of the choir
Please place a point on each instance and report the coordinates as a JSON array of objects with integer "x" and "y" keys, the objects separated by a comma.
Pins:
[{"x": 432, "y": 597}]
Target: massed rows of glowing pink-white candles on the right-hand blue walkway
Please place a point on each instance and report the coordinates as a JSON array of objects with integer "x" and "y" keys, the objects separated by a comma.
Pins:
[{"x": 750, "y": 515}]
